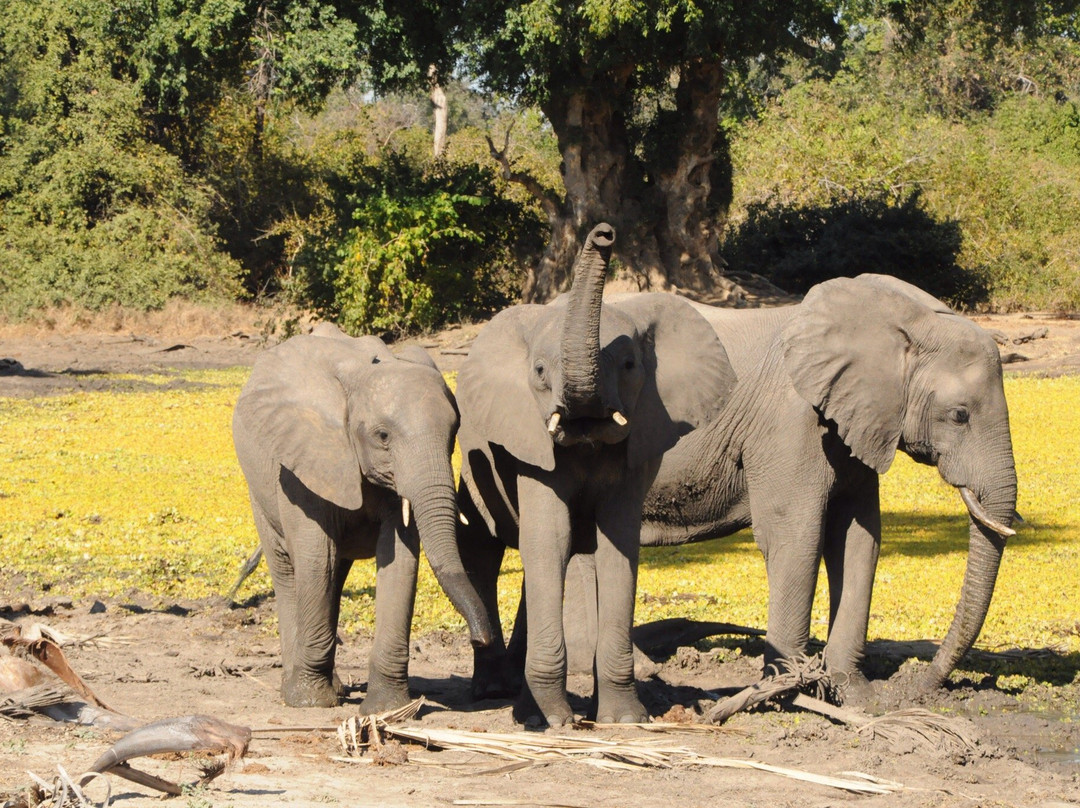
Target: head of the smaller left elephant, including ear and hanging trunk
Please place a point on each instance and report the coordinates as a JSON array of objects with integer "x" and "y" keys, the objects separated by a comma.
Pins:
[{"x": 346, "y": 416}]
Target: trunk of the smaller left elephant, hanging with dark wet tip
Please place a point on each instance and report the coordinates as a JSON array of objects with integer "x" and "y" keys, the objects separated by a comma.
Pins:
[{"x": 429, "y": 489}]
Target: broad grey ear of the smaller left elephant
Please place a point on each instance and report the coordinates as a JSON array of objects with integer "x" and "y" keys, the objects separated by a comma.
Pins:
[{"x": 295, "y": 401}]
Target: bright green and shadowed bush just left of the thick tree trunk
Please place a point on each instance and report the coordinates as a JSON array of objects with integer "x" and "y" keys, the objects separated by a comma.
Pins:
[{"x": 427, "y": 248}]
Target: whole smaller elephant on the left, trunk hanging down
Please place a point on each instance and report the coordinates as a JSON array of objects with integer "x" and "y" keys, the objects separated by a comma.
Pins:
[{"x": 332, "y": 435}]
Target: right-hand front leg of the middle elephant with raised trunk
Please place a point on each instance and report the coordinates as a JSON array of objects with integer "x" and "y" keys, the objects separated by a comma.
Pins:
[{"x": 618, "y": 543}]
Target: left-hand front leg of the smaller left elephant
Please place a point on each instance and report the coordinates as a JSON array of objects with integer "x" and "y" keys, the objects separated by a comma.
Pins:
[{"x": 316, "y": 564}]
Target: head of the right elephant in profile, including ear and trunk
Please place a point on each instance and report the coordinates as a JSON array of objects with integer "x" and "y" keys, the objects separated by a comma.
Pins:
[{"x": 894, "y": 368}]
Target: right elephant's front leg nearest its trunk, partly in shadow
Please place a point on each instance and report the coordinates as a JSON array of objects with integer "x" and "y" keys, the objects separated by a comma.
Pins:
[{"x": 853, "y": 543}]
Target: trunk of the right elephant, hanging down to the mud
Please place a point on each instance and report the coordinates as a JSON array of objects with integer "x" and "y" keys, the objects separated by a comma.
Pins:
[{"x": 991, "y": 514}]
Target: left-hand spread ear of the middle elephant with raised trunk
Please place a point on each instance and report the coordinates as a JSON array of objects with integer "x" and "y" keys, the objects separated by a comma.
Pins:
[{"x": 494, "y": 396}]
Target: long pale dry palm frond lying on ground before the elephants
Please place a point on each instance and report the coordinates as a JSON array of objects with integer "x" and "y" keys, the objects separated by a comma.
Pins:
[{"x": 532, "y": 749}]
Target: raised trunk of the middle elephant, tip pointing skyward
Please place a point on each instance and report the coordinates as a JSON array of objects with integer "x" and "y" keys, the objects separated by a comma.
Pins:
[{"x": 582, "y": 329}]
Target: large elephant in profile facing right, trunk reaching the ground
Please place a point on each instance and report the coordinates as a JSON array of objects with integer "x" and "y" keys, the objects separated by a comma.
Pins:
[{"x": 828, "y": 392}]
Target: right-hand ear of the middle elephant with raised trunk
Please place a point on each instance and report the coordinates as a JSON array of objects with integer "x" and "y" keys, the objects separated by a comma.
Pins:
[{"x": 687, "y": 373}]
